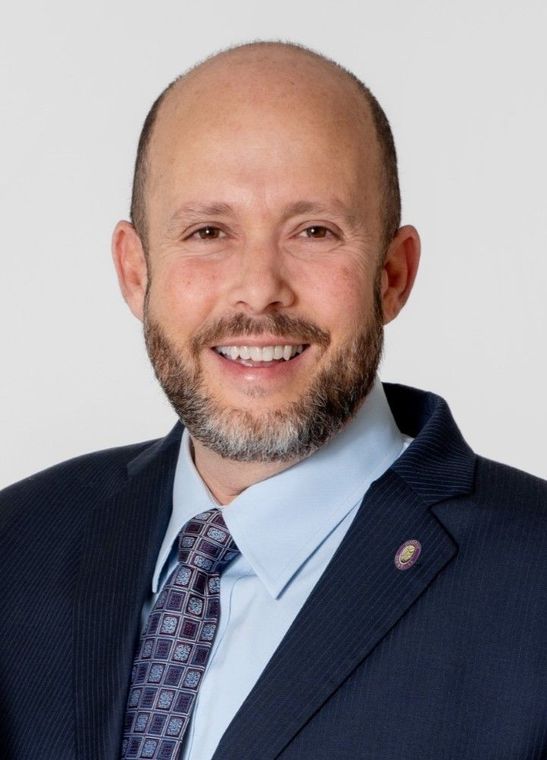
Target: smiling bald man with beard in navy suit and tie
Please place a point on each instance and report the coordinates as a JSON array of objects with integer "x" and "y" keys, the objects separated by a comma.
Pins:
[{"x": 315, "y": 566}]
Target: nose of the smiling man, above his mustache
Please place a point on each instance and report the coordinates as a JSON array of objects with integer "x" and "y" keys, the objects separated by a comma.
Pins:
[{"x": 261, "y": 283}]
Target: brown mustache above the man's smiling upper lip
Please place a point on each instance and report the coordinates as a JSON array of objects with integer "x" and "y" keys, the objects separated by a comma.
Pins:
[{"x": 281, "y": 325}]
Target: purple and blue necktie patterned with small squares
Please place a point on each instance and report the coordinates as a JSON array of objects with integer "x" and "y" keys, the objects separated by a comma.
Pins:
[{"x": 177, "y": 641}]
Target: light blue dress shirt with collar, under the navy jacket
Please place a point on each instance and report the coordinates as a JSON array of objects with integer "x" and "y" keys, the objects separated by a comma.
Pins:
[{"x": 287, "y": 528}]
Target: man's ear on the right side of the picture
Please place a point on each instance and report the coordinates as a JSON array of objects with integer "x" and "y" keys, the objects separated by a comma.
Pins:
[{"x": 399, "y": 271}]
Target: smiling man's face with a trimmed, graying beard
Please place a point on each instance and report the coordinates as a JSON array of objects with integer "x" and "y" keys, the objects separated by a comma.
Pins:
[{"x": 264, "y": 233}]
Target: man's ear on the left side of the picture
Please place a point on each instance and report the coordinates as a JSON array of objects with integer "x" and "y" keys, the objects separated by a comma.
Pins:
[{"x": 131, "y": 267}]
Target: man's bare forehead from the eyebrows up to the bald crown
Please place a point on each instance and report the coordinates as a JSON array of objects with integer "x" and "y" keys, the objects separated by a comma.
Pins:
[{"x": 262, "y": 118}]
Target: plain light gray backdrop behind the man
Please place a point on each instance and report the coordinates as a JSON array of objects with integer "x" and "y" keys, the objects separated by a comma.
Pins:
[{"x": 464, "y": 87}]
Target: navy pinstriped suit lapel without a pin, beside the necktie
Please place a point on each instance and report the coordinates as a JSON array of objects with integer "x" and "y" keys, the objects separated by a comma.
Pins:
[{"x": 118, "y": 554}]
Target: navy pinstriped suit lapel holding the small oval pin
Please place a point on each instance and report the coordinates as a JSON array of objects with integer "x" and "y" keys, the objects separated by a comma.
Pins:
[{"x": 361, "y": 595}]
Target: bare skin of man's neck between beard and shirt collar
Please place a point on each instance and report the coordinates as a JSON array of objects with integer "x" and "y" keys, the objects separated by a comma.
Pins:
[{"x": 226, "y": 478}]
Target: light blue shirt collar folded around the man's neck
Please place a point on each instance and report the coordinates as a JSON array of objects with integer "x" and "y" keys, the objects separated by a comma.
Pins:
[{"x": 279, "y": 522}]
